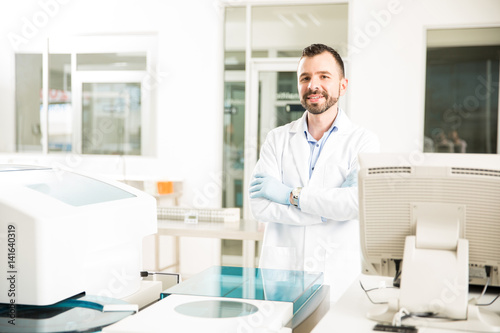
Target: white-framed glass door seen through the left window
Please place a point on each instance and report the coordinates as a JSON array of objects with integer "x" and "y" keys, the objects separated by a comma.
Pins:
[{"x": 111, "y": 112}]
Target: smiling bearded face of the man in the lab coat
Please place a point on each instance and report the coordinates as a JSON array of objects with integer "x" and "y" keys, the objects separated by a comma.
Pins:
[{"x": 320, "y": 83}]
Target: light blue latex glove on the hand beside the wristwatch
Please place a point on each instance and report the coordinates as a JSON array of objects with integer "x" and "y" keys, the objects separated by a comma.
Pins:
[{"x": 265, "y": 186}]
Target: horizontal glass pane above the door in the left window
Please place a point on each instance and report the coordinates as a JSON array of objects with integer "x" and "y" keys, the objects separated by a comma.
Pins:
[{"x": 111, "y": 62}]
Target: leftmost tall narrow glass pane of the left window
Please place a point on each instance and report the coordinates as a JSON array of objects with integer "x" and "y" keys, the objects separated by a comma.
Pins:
[{"x": 28, "y": 102}]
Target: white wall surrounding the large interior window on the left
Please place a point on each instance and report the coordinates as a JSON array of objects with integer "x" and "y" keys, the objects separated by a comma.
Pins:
[{"x": 189, "y": 91}]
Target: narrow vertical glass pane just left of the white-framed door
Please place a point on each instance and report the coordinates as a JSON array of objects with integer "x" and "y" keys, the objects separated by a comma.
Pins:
[{"x": 60, "y": 111}]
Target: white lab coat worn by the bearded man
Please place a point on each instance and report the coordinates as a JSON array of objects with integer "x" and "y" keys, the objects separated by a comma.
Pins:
[{"x": 298, "y": 239}]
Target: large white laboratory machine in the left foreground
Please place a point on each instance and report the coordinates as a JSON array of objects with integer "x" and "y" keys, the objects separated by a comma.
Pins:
[{"x": 64, "y": 233}]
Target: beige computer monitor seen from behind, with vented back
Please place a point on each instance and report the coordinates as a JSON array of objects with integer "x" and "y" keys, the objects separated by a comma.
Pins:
[{"x": 398, "y": 192}]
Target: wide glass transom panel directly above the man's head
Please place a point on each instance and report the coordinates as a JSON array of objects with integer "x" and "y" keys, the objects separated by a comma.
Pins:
[{"x": 283, "y": 31}]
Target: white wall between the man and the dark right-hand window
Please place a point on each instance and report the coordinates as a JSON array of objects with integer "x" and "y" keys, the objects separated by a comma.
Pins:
[{"x": 387, "y": 61}]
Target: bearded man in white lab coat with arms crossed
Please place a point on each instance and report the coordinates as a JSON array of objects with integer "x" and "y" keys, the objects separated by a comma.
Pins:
[{"x": 304, "y": 185}]
